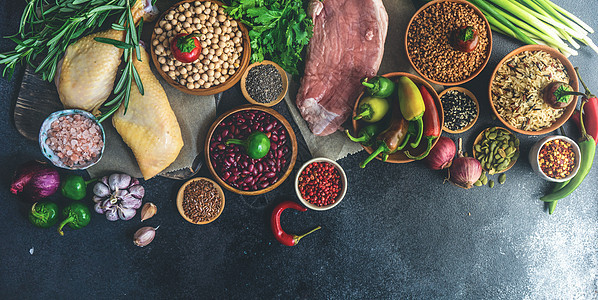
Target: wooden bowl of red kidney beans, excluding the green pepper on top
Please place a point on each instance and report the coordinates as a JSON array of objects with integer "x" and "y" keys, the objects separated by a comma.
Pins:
[{"x": 233, "y": 168}]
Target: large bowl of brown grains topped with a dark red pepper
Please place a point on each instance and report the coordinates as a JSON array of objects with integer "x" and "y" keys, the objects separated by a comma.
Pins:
[{"x": 448, "y": 42}]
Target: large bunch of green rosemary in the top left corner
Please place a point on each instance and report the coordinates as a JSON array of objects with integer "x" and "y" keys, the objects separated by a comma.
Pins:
[{"x": 47, "y": 27}]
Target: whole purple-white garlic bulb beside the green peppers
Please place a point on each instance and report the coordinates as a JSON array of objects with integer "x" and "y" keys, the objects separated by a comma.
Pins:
[{"x": 118, "y": 196}]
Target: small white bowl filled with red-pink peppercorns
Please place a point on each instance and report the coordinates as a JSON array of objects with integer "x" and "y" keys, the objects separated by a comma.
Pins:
[{"x": 321, "y": 184}]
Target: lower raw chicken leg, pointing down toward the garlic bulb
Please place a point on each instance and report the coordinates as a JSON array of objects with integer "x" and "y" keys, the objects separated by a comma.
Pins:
[{"x": 149, "y": 127}]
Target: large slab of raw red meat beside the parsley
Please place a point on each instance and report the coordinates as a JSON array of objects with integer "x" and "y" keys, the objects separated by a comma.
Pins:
[{"x": 347, "y": 45}]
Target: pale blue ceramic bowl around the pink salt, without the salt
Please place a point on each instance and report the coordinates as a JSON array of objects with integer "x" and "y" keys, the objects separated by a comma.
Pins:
[{"x": 49, "y": 154}]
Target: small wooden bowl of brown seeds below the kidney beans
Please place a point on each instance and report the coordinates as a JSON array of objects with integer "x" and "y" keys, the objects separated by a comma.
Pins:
[{"x": 200, "y": 200}]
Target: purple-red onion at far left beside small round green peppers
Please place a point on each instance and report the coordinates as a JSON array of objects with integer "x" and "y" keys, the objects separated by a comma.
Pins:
[{"x": 35, "y": 180}]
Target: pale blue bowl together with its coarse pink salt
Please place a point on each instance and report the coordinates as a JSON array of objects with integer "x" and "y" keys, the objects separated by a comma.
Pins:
[{"x": 72, "y": 139}]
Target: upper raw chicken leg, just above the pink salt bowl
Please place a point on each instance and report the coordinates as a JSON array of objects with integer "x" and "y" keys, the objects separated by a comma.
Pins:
[{"x": 86, "y": 73}]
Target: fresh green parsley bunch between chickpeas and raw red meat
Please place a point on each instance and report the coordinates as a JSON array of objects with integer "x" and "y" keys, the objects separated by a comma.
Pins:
[{"x": 279, "y": 29}]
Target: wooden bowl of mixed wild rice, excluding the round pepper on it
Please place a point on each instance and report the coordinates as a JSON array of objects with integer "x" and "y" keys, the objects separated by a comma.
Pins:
[{"x": 517, "y": 85}]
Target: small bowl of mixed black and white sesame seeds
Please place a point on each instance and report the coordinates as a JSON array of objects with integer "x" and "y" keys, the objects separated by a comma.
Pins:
[{"x": 461, "y": 109}]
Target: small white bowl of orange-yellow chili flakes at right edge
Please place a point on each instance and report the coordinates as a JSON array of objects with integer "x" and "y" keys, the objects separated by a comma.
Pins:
[{"x": 555, "y": 158}]
